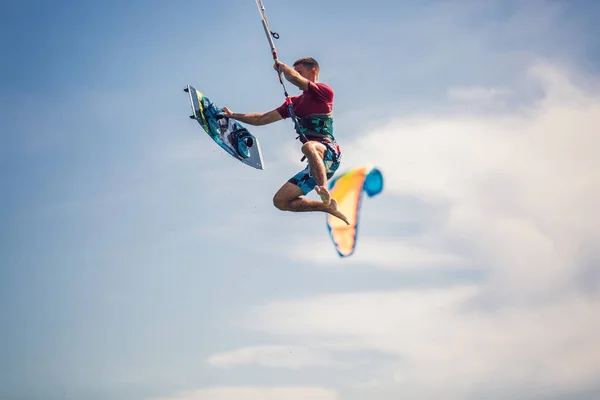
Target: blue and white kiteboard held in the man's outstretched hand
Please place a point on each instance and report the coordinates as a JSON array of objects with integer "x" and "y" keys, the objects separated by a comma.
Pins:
[{"x": 228, "y": 133}]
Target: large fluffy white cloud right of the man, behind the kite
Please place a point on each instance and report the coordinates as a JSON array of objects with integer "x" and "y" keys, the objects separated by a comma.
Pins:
[{"x": 521, "y": 189}]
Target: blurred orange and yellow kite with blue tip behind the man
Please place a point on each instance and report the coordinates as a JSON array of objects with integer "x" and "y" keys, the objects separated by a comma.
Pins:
[{"x": 348, "y": 189}]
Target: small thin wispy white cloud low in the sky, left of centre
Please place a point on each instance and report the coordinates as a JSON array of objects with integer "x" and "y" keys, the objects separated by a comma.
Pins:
[{"x": 272, "y": 356}]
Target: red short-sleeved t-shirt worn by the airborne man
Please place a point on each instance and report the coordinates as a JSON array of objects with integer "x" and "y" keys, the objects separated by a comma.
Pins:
[{"x": 316, "y": 99}]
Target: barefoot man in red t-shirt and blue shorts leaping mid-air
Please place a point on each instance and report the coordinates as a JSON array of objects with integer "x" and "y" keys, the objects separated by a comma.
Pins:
[{"x": 313, "y": 108}]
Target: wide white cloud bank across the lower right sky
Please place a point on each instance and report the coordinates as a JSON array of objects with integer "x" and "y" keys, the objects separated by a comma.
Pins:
[{"x": 444, "y": 347}]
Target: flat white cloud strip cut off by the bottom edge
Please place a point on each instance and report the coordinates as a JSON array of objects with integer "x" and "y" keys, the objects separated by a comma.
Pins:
[{"x": 256, "y": 393}]
